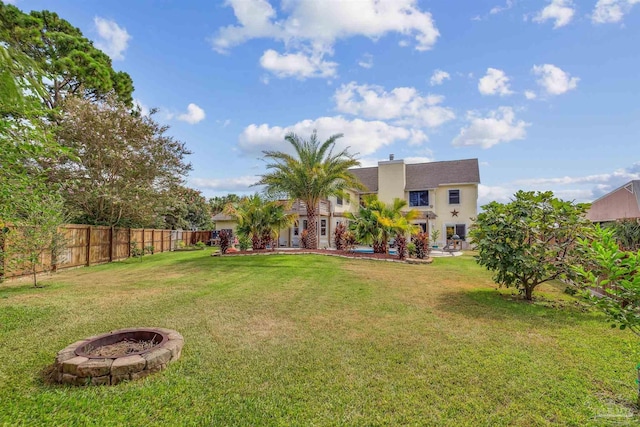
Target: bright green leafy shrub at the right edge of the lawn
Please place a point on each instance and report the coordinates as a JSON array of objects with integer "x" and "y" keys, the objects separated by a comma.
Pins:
[{"x": 614, "y": 275}]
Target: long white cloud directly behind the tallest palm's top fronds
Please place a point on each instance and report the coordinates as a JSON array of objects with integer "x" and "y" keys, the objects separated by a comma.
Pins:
[{"x": 363, "y": 137}]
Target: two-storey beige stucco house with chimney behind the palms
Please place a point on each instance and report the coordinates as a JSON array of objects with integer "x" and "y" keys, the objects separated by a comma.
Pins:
[{"x": 446, "y": 194}]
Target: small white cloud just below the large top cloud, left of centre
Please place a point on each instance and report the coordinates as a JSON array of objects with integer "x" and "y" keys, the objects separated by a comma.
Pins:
[{"x": 297, "y": 65}]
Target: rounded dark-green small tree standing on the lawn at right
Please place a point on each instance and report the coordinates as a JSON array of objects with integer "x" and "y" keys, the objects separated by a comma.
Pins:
[{"x": 530, "y": 240}]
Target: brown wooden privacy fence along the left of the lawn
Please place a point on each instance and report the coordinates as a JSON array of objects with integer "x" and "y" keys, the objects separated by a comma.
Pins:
[{"x": 88, "y": 245}]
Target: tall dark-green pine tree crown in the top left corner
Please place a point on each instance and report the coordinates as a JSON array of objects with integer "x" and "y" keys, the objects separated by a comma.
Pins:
[{"x": 70, "y": 63}]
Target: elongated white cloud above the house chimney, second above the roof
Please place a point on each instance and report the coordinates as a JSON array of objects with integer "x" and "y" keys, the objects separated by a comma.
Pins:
[{"x": 403, "y": 105}]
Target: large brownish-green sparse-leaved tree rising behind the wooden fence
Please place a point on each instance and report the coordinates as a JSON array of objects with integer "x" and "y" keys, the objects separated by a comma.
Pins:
[{"x": 125, "y": 169}]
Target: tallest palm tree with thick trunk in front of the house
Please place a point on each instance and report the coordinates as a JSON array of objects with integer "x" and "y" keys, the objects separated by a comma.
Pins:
[{"x": 310, "y": 176}]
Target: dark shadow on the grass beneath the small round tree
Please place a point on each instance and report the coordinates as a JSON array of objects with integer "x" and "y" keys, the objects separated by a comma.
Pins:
[{"x": 493, "y": 305}]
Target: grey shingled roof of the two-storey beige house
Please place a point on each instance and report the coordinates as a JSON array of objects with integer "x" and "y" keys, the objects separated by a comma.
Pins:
[{"x": 421, "y": 176}]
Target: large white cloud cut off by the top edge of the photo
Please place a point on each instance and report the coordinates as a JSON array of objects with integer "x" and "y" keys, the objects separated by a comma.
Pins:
[{"x": 312, "y": 31}]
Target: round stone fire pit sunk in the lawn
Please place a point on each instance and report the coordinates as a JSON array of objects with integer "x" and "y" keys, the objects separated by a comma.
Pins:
[{"x": 85, "y": 363}]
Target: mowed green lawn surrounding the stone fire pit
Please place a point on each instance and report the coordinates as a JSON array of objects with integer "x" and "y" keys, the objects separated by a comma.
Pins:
[{"x": 315, "y": 340}]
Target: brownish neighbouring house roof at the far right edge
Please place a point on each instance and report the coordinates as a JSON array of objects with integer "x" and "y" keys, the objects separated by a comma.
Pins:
[{"x": 621, "y": 203}]
